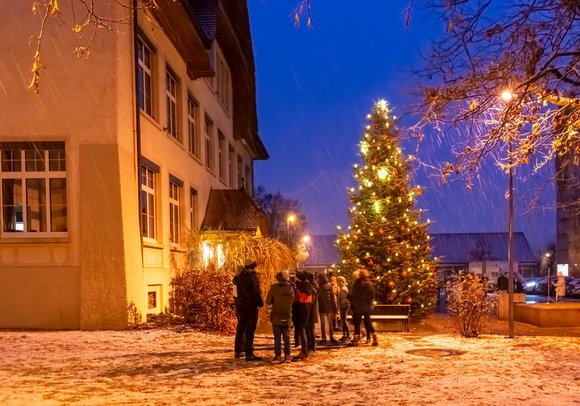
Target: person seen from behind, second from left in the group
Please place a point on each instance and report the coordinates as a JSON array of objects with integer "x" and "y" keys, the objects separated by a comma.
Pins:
[{"x": 280, "y": 297}]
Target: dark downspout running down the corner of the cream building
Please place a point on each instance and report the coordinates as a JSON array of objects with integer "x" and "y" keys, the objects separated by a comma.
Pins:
[{"x": 137, "y": 121}]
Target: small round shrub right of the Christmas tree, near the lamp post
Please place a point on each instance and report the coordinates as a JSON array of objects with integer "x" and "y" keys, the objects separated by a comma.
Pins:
[{"x": 468, "y": 304}]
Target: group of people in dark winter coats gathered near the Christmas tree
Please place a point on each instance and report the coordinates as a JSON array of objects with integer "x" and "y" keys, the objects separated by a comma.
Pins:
[{"x": 299, "y": 300}]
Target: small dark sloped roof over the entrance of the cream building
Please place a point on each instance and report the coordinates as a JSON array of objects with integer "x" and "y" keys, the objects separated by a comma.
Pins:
[{"x": 233, "y": 210}]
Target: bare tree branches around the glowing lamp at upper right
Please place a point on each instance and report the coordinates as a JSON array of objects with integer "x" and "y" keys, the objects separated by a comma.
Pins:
[{"x": 506, "y": 75}]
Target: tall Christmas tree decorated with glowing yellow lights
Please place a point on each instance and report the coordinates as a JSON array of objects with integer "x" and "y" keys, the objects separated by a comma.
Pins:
[{"x": 387, "y": 236}]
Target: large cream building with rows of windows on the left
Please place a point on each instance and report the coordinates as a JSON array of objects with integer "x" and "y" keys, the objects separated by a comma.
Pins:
[{"x": 107, "y": 168}]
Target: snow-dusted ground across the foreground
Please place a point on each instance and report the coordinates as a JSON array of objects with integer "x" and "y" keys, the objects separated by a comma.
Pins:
[{"x": 181, "y": 366}]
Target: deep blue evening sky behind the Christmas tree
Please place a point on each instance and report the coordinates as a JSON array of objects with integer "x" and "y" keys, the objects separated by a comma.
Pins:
[{"x": 316, "y": 86}]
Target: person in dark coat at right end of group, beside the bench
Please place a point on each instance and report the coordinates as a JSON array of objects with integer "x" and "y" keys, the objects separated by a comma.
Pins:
[{"x": 362, "y": 297}]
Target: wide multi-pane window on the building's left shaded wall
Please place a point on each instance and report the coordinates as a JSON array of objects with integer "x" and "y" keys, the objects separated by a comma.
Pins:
[{"x": 34, "y": 188}]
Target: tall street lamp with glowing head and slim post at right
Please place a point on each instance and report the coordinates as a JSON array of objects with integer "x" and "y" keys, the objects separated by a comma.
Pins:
[{"x": 506, "y": 96}]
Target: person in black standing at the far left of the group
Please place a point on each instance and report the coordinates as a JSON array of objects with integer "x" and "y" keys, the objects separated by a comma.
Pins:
[{"x": 249, "y": 303}]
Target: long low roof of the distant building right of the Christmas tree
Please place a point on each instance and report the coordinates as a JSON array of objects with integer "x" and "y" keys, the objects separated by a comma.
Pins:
[{"x": 456, "y": 248}]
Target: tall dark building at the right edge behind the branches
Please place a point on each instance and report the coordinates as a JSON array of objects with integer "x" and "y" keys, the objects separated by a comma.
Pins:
[{"x": 568, "y": 215}]
